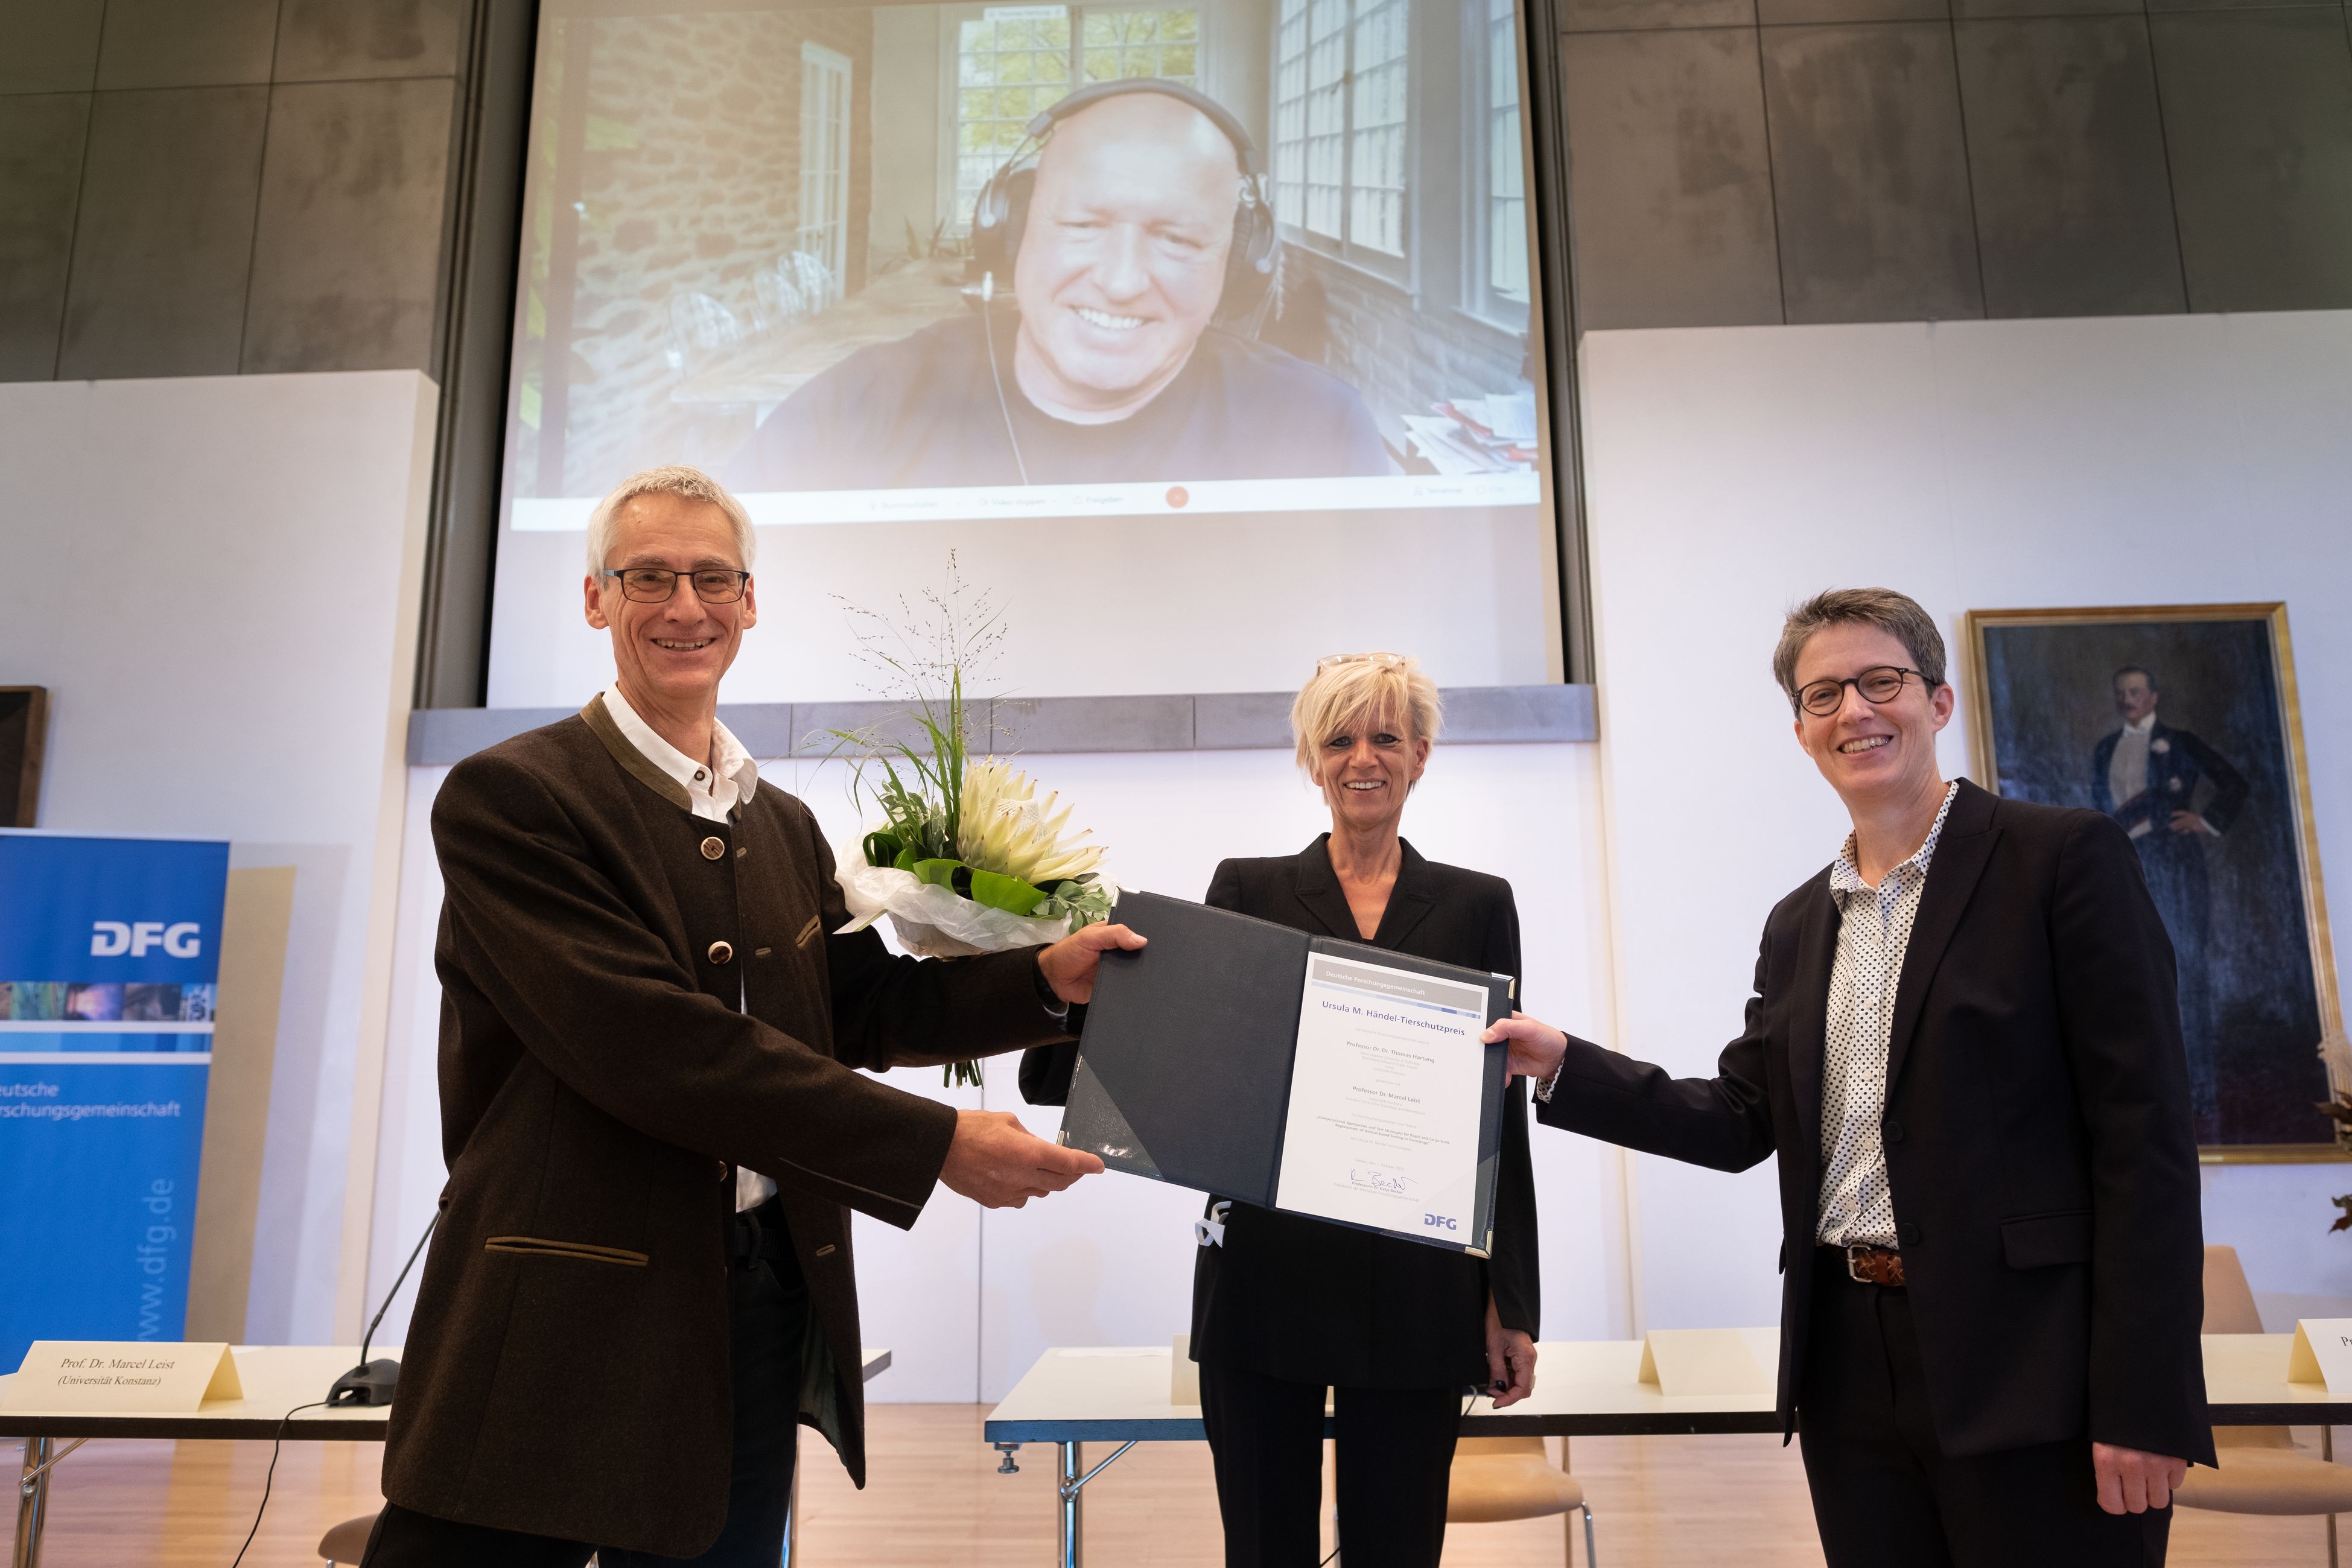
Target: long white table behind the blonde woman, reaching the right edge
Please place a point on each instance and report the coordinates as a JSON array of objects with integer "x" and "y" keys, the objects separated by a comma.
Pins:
[{"x": 1584, "y": 1388}]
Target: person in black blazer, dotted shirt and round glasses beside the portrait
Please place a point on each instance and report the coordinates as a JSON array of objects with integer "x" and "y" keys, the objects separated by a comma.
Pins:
[{"x": 1965, "y": 1050}]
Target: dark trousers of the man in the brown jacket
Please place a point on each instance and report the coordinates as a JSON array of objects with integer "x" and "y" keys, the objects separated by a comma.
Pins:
[{"x": 770, "y": 1306}]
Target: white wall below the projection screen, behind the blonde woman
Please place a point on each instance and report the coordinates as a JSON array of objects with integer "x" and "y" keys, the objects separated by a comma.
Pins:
[{"x": 968, "y": 1299}]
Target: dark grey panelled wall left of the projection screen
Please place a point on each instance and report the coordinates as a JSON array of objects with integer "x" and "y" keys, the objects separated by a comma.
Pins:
[{"x": 218, "y": 187}]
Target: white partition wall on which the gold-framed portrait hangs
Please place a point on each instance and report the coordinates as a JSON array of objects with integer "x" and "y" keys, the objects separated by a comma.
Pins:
[{"x": 1975, "y": 467}]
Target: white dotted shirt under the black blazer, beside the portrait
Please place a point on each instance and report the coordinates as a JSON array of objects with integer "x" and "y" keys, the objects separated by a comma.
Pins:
[{"x": 1873, "y": 934}]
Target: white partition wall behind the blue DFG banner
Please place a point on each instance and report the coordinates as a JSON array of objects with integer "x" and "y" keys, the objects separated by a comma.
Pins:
[{"x": 218, "y": 582}]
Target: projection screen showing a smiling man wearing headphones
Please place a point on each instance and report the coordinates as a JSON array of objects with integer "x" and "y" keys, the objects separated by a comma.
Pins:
[{"x": 1201, "y": 333}]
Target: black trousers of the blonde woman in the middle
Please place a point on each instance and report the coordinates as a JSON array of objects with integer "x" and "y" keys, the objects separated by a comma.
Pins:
[{"x": 1396, "y": 1454}]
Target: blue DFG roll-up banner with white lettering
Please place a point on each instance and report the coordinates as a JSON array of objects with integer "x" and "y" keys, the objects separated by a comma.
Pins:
[{"x": 109, "y": 960}]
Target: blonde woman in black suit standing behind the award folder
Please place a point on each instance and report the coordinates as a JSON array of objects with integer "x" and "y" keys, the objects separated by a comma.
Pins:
[{"x": 1288, "y": 1308}]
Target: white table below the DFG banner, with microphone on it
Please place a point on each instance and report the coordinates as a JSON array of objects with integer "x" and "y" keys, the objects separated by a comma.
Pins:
[{"x": 276, "y": 1379}]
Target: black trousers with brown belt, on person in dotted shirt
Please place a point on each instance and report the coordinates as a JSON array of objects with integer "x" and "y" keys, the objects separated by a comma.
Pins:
[{"x": 1887, "y": 1494}]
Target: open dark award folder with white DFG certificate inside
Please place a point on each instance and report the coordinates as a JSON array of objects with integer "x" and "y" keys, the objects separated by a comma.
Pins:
[{"x": 1299, "y": 1073}]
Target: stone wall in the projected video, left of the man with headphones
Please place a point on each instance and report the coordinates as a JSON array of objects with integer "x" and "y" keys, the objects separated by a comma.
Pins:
[{"x": 690, "y": 185}]
